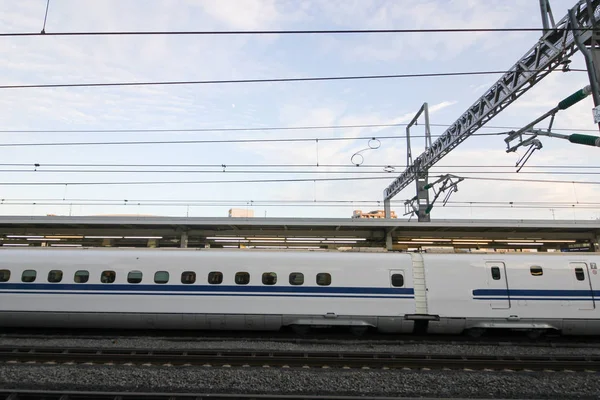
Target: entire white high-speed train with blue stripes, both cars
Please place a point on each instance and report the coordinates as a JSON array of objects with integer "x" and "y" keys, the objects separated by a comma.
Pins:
[{"x": 265, "y": 290}]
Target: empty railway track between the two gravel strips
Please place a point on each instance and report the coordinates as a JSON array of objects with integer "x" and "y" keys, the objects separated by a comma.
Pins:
[{"x": 289, "y": 359}]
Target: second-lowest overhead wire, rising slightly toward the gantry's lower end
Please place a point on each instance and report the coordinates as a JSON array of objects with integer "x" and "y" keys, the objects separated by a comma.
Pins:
[{"x": 96, "y": 183}]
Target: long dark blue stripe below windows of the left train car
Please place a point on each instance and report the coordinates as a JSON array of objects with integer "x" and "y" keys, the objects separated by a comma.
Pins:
[{"x": 197, "y": 289}]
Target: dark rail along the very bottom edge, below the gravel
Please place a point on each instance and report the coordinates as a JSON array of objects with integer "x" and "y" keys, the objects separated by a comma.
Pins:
[{"x": 72, "y": 395}]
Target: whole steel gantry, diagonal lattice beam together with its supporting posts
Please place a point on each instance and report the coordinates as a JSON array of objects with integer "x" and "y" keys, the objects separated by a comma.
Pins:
[{"x": 575, "y": 32}]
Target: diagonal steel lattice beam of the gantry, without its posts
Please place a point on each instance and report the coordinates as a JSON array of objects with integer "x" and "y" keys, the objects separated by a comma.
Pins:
[{"x": 551, "y": 50}]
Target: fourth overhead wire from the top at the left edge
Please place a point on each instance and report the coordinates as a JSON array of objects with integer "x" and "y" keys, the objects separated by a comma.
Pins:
[{"x": 215, "y": 141}]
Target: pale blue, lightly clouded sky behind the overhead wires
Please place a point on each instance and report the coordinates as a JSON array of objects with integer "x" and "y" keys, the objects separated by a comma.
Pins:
[{"x": 103, "y": 59}]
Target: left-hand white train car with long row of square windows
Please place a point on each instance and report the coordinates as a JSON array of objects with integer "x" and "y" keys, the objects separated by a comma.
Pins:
[{"x": 204, "y": 289}]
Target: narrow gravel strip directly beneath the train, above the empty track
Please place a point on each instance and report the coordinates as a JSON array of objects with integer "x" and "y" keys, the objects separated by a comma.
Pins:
[{"x": 258, "y": 345}]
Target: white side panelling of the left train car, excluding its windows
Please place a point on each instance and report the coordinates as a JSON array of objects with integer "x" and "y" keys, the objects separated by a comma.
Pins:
[{"x": 355, "y": 292}]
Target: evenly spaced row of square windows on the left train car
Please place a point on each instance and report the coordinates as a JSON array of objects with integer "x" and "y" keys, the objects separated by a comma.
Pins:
[{"x": 187, "y": 277}]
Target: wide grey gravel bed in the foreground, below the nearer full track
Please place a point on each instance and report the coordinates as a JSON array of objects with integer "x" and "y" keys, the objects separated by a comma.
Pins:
[{"x": 444, "y": 384}]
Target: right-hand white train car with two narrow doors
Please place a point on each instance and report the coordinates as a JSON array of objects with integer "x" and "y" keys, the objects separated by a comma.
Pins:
[{"x": 519, "y": 291}]
